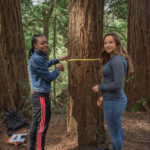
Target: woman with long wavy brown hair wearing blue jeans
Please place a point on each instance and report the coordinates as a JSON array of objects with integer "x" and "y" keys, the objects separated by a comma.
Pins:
[{"x": 116, "y": 63}]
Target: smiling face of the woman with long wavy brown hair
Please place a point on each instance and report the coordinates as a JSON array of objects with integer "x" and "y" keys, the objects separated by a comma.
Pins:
[{"x": 109, "y": 44}]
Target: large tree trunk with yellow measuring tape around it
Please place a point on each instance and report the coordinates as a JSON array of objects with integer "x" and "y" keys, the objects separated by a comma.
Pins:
[{"x": 84, "y": 42}]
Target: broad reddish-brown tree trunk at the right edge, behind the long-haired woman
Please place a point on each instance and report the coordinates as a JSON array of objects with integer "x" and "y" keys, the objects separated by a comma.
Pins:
[{"x": 139, "y": 48}]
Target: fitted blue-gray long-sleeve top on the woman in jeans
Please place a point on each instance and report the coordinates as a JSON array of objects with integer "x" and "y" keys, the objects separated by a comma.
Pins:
[{"x": 113, "y": 76}]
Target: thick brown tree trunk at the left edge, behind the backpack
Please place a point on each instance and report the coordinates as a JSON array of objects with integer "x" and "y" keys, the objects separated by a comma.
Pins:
[{"x": 14, "y": 81}]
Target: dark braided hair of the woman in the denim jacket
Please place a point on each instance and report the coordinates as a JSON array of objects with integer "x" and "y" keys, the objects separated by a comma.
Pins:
[{"x": 33, "y": 41}]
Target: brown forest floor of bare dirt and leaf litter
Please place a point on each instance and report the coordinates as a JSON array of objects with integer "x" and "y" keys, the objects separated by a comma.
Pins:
[{"x": 136, "y": 133}]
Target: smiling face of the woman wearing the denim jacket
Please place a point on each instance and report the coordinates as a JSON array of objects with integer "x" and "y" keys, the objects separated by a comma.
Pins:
[{"x": 41, "y": 44}]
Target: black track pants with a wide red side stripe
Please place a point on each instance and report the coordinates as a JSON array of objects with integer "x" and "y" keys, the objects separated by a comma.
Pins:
[{"x": 40, "y": 122}]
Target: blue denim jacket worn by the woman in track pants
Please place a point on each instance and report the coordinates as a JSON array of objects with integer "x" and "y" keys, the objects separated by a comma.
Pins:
[{"x": 40, "y": 76}]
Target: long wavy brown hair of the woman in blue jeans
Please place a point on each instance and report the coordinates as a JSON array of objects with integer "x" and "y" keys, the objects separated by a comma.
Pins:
[{"x": 104, "y": 56}]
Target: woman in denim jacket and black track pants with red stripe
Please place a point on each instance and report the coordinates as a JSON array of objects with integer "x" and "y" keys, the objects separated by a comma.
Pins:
[{"x": 40, "y": 79}]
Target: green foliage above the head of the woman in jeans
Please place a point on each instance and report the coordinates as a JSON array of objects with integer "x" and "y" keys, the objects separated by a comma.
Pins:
[{"x": 115, "y": 18}]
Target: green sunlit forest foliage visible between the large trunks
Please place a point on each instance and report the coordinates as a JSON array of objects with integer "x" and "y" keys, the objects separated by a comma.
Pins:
[{"x": 56, "y": 30}]
